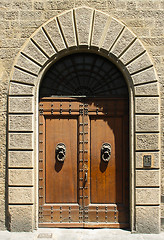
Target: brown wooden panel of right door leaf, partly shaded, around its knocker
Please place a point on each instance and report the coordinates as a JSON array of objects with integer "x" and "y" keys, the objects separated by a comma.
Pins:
[{"x": 103, "y": 175}]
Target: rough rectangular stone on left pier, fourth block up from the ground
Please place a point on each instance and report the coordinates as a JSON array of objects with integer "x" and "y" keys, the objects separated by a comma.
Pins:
[{"x": 20, "y": 158}]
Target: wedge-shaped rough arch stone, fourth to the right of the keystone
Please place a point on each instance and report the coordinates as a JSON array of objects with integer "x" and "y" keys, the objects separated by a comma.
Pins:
[{"x": 132, "y": 52}]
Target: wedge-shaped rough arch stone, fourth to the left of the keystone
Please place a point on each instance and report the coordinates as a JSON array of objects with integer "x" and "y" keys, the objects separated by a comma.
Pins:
[{"x": 34, "y": 53}]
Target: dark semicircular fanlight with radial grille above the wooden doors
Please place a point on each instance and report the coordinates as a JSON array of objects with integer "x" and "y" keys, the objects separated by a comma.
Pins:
[{"x": 83, "y": 74}]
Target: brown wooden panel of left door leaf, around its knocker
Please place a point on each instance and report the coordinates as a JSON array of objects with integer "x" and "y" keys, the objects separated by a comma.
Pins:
[{"x": 61, "y": 177}]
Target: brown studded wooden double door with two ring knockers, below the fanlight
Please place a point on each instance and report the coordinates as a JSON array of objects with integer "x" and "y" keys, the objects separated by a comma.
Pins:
[{"x": 83, "y": 163}]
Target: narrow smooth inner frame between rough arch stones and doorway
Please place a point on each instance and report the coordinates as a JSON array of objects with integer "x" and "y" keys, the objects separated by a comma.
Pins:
[{"x": 131, "y": 98}]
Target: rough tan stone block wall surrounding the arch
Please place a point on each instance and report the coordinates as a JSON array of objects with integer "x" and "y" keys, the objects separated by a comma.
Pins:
[{"x": 20, "y": 18}]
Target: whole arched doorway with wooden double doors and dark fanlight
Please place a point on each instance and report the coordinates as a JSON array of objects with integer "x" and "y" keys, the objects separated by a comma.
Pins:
[{"x": 83, "y": 144}]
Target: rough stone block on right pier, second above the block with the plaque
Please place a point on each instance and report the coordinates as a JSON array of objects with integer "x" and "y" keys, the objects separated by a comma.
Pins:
[{"x": 147, "y": 123}]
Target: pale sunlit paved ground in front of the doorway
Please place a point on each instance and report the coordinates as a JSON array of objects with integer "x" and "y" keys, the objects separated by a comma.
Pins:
[{"x": 79, "y": 234}]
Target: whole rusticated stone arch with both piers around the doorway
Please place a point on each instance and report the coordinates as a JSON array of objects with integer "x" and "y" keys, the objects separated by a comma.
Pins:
[{"x": 90, "y": 30}]
